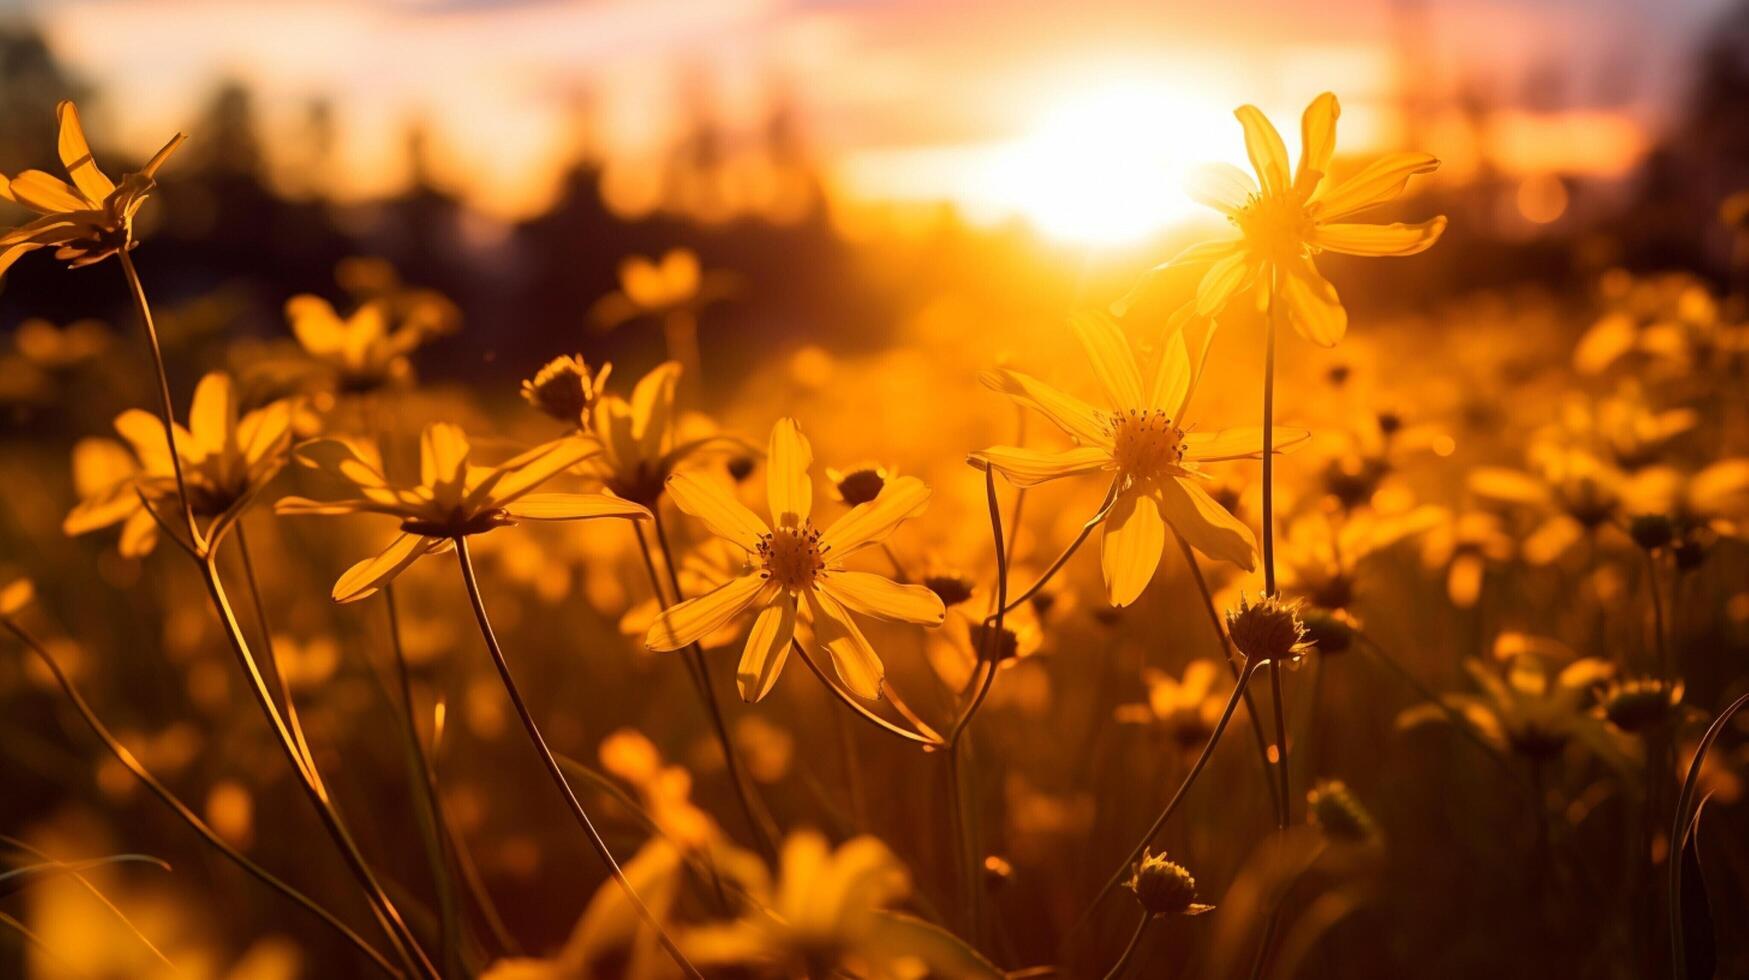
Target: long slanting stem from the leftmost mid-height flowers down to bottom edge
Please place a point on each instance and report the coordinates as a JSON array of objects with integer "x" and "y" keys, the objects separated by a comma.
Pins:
[{"x": 387, "y": 916}]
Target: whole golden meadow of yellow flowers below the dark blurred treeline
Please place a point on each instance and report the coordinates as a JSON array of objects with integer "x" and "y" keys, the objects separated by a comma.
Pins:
[{"x": 1215, "y": 633}]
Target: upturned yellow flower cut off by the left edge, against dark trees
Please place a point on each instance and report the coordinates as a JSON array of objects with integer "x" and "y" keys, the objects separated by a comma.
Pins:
[{"x": 88, "y": 220}]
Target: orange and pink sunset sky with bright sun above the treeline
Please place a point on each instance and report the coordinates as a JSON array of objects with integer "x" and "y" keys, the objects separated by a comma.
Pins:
[{"x": 982, "y": 102}]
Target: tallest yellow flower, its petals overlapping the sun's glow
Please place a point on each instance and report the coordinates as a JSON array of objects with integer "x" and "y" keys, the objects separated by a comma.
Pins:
[{"x": 1283, "y": 225}]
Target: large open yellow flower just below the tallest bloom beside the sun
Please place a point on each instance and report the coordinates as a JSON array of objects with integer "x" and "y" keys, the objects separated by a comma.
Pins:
[{"x": 1145, "y": 442}]
